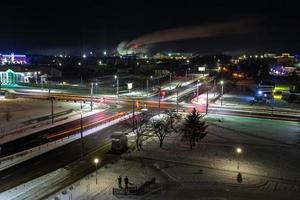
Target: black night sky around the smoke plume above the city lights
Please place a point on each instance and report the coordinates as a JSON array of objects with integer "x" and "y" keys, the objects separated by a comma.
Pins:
[{"x": 78, "y": 26}]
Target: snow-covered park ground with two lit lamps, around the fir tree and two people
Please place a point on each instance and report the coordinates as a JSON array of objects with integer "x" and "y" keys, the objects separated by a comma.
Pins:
[{"x": 269, "y": 163}]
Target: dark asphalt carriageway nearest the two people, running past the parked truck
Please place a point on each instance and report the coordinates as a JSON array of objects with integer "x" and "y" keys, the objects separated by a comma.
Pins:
[{"x": 55, "y": 159}]
